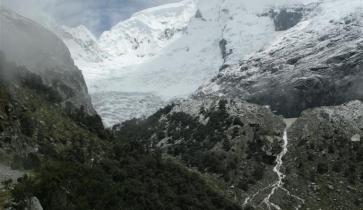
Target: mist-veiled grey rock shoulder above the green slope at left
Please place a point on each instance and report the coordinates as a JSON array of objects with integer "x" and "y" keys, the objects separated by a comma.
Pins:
[{"x": 26, "y": 43}]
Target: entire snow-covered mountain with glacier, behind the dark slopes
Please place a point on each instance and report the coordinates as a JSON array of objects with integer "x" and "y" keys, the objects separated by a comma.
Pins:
[{"x": 167, "y": 52}]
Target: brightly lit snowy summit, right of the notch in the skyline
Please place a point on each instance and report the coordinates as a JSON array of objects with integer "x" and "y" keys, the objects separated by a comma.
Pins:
[{"x": 147, "y": 32}]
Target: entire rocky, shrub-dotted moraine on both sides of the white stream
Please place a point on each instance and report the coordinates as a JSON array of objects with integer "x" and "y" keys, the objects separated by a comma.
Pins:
[{"x": 236, "y": 144}]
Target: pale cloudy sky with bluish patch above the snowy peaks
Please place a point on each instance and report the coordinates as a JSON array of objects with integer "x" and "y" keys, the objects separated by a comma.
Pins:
[{"x": 97, "y": 15}]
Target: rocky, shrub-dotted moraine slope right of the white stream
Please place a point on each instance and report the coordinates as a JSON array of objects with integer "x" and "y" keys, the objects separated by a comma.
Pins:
[{"x": 324, "y": 164}]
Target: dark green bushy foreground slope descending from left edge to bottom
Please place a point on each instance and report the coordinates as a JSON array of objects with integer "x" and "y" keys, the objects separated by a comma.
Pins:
[{"x": 73, "y": 163}]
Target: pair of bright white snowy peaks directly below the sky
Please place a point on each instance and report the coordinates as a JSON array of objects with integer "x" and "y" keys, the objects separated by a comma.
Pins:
[{"x": 130, "y": 42}]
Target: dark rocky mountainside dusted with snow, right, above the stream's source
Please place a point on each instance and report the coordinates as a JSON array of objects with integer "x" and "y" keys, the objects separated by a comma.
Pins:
[{"x": 318, "y": 62}]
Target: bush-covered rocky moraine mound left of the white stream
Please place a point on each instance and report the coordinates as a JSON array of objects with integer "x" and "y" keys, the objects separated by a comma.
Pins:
[{"x": 233, "y": 141}]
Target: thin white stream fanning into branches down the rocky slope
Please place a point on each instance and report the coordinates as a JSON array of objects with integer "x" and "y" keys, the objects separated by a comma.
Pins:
[{"x": 278, "y": 185}]
